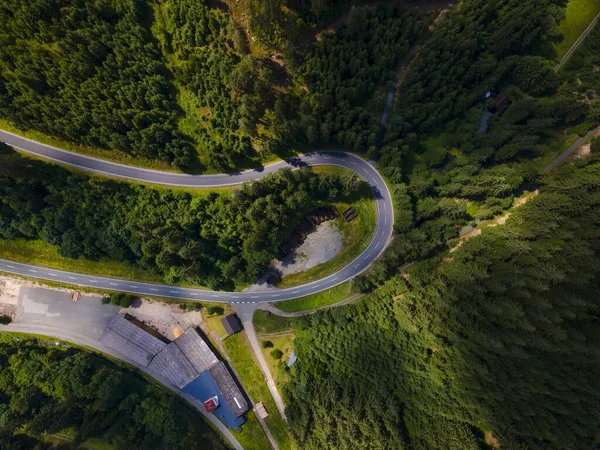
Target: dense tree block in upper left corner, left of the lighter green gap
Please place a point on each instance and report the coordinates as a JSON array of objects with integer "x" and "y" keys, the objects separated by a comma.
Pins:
[{"x": 87, "y": 71}]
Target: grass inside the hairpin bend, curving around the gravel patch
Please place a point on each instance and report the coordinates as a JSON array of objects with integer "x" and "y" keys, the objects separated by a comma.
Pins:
[{"x": 356, "y": 235}]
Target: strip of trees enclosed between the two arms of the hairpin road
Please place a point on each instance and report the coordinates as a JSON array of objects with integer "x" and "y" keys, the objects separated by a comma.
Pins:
[{"x": 207, "y": 239}]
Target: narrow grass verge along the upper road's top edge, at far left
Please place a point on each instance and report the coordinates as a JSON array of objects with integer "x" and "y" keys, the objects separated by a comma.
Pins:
[{"x": 109, "y": 155}]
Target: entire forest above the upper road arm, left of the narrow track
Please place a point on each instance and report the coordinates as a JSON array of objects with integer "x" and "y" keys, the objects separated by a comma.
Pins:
[{"x": 183, "y": 83}]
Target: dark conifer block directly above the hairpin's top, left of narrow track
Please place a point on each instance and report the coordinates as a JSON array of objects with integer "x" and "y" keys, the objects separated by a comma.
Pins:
[{"x": 343, "y": 71}]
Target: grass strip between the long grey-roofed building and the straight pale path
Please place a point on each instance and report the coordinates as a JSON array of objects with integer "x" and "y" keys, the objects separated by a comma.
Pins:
[{"x": 239, "y": 351}]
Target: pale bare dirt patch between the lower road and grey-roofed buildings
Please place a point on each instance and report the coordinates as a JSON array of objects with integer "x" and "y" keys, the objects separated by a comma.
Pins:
[{"x": 164, "y": 317}]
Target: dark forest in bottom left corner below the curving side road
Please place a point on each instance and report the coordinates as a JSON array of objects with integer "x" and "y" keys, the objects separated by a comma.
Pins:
[{"x": 46, "y": 388}]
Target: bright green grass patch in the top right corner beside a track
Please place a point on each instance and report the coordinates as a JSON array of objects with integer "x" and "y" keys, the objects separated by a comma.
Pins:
[{"x": 578, "y": 15}]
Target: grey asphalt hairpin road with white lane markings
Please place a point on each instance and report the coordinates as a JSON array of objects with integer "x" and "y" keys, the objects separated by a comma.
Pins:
[{"x": 383, "y": 228}]
